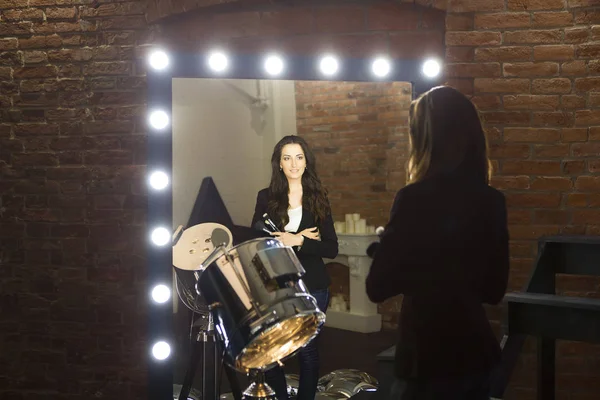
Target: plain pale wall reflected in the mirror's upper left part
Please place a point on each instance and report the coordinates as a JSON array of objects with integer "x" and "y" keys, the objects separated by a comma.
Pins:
[{"x": 218, "y": 132}]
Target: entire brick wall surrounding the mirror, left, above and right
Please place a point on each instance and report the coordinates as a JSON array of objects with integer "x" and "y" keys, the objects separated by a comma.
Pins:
[{"x": 71, "y": 158}]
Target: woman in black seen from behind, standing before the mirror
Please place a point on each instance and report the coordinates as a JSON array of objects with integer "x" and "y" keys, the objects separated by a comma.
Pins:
[{"x": 445, "y": 248}]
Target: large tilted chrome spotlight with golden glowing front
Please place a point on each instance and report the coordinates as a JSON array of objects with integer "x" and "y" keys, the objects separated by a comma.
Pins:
[{"x": 262, "y": 311}]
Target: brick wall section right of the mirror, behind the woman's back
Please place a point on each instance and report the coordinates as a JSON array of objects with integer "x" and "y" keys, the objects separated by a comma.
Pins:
[{"x": 532, "y": 68}]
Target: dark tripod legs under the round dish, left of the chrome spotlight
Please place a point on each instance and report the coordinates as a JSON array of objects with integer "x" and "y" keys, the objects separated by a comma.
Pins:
[{"x": 210, "y": 390}]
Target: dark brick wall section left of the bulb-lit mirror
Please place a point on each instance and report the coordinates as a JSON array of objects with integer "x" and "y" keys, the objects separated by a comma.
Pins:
[{"x": 72, "y": 200}]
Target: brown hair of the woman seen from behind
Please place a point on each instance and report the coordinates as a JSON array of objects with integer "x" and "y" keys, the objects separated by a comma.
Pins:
[{"x": 446, "y": 138}]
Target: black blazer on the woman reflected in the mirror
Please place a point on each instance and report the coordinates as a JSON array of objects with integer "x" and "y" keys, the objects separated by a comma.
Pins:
[{"x": 312, "y": 252}]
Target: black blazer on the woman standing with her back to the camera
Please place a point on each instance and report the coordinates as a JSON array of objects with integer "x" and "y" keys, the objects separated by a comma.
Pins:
[{"x": 446, "y": 249}]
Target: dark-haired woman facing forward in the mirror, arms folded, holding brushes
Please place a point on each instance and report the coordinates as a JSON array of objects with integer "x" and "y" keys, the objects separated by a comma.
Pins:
[{"x": 297, "y": 203}]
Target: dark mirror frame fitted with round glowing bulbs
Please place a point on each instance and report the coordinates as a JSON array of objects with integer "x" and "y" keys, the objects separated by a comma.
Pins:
[{"x": 160, "y": 147}]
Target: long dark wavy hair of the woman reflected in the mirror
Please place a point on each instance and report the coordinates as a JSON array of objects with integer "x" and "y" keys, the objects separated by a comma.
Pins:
[{"x": 314, "y": 195}]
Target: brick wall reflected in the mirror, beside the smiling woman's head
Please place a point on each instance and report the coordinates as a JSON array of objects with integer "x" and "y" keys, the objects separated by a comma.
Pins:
[{"x": 358, "y": 131}]
